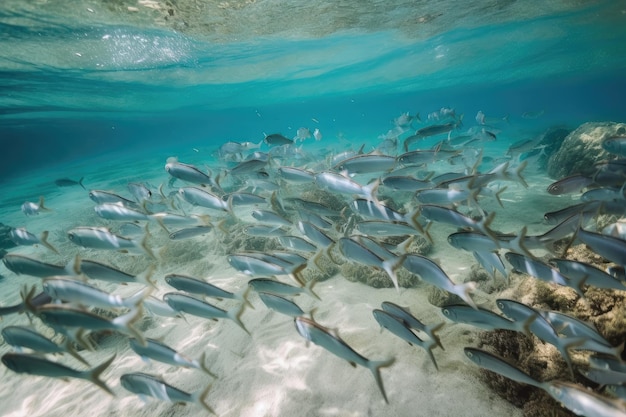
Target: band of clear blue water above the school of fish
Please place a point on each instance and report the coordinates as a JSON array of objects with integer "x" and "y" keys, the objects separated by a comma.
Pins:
[{"x": 134, "y": 88}]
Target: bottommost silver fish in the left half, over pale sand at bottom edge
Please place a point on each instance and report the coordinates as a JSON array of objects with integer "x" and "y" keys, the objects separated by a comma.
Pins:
[{"x": 144, "y": 384}]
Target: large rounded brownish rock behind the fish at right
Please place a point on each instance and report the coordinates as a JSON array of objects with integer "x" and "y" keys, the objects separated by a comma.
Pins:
[{"x": 581, "y": 149}]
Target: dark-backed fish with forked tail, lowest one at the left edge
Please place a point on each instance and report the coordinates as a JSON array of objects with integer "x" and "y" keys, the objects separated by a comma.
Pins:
[{"x": 37, "y": 365}]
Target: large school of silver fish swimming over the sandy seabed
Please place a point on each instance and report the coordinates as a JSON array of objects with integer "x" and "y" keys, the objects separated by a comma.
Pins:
[{"x": 397, "y": 189}]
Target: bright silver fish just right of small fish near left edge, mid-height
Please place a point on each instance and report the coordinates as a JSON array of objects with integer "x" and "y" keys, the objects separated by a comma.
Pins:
[{"x": 103, "y": 238}]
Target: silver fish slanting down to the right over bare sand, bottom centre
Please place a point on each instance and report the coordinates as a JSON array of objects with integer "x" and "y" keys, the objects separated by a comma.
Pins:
[{"x": 322, "y": 336}]
